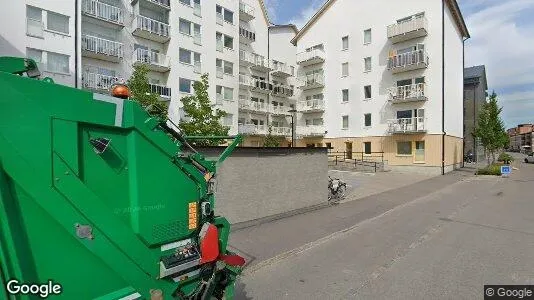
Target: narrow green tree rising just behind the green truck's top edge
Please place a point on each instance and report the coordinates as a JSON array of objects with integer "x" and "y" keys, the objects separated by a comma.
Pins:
[{"x": 141, "y": 93}]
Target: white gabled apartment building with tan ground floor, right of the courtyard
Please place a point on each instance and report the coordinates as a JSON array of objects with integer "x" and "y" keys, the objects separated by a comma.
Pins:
[{"x": 388, "y": 80}]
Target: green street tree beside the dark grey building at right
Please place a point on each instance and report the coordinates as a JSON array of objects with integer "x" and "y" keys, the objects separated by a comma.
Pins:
[{"x": 490, "y": 129}]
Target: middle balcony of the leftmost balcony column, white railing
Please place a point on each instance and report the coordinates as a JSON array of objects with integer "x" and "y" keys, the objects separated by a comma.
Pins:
[{"x": 103, "y": 49}]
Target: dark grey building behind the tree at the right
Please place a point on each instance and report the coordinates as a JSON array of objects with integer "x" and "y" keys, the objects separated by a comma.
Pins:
[{"x": 475, "y": 93}]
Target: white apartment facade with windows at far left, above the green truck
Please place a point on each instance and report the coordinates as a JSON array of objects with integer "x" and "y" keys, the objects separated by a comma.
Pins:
[{"x": 45, "y": 31}]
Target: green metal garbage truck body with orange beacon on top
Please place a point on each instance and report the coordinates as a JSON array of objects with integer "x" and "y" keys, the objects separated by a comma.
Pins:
[{"x": 99, "y": 221}]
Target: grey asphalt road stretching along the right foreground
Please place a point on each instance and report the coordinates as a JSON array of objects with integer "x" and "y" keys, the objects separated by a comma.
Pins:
[{"x": 443, "y": 245}]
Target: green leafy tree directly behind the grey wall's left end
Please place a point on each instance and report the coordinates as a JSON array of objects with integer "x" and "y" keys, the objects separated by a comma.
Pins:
[{"x": 201, "y": 119}]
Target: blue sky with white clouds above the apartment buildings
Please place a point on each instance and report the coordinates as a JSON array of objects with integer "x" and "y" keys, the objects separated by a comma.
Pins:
[{"x": 502, "y": 38}]
